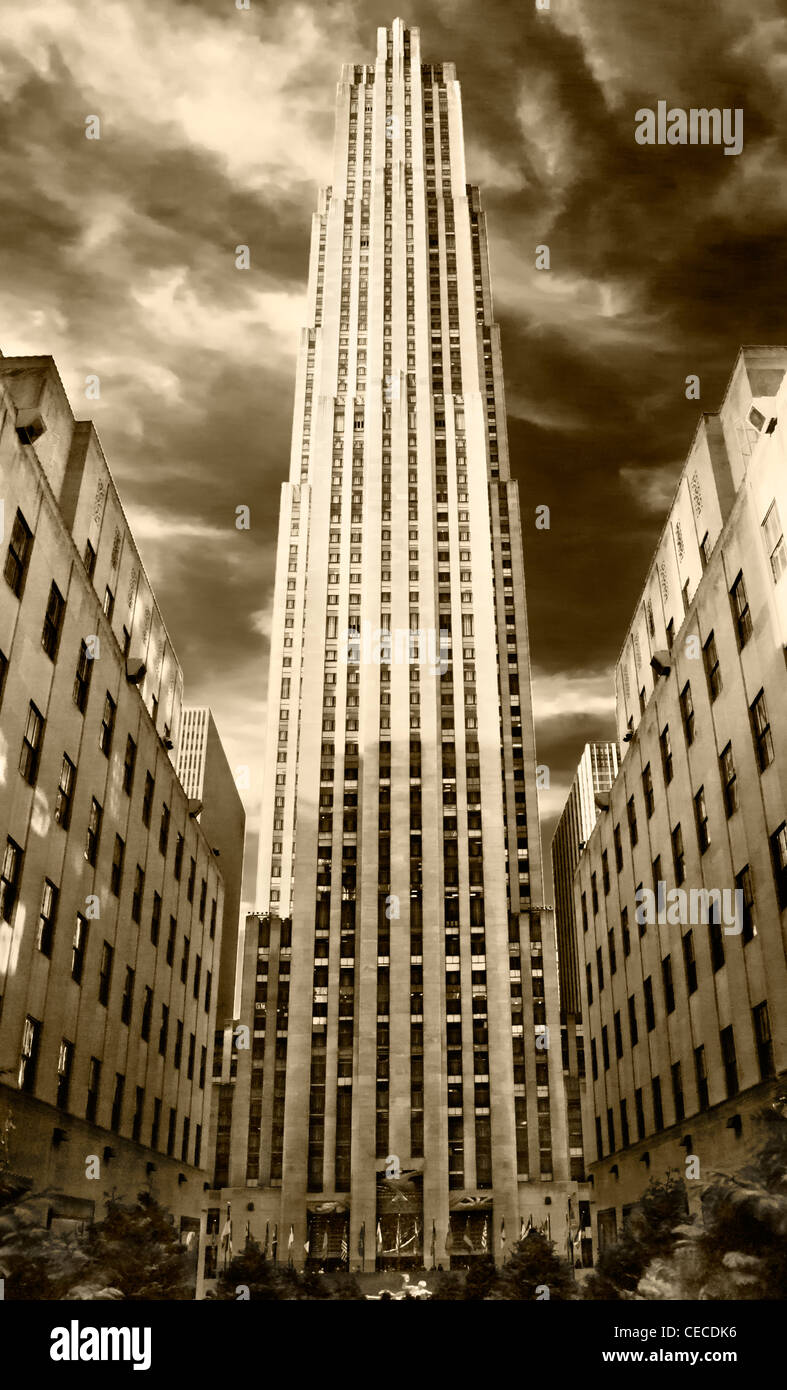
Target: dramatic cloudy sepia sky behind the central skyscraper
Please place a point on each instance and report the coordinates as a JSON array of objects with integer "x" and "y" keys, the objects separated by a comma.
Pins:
[{"x": 117, "y": 258}]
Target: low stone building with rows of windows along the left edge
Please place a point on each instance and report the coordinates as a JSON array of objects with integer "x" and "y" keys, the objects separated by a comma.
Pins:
[{"x": 111, "y": 896}]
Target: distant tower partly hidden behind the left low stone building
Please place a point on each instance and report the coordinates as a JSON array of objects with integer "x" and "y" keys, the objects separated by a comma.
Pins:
[{"x": 208, "y": 779}]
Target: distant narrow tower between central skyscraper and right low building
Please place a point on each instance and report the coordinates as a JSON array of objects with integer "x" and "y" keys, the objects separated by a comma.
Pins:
[{"x": 594, "y": 778}]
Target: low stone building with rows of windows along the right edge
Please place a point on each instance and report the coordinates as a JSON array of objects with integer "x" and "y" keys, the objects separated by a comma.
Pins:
[{"x": 685, "y": 992}]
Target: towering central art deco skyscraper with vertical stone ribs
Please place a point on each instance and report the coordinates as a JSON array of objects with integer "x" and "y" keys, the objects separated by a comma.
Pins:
[{"x": 400, "y": 836}]
